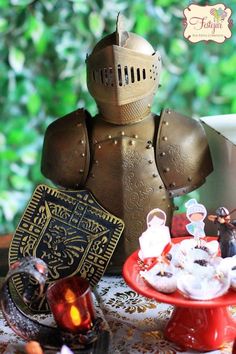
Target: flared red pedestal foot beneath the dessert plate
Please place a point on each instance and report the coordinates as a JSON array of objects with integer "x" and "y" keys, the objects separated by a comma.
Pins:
[{"x": 201, "y": 329}]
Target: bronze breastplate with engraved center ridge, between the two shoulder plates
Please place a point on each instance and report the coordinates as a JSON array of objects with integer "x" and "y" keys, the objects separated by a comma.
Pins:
[{"x": 124, "y": 179}]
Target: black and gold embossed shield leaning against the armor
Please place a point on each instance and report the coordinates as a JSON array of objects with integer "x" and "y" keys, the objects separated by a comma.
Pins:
[{"x": 70, "y": 231}]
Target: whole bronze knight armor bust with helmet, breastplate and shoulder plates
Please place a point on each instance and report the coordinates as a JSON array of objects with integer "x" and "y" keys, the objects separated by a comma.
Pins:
[{"x": 130, "y": 159}]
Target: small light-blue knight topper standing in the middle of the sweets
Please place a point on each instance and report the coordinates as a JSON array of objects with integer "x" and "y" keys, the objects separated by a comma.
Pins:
[{"x": 196, "y": 213}]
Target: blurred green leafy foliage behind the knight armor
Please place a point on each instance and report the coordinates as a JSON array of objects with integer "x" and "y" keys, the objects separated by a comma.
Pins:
[{"x": 43, "y": 46}]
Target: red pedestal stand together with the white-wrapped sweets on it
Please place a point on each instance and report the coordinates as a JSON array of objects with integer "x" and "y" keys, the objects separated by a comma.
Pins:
[{"x": 191, "y": 275}]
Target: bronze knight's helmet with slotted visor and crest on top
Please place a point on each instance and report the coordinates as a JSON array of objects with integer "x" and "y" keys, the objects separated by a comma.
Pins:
[{"x": 123, "y": 74}]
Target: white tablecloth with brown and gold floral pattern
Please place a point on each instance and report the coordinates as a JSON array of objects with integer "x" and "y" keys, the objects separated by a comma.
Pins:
[{"x": 136, "y": 323}]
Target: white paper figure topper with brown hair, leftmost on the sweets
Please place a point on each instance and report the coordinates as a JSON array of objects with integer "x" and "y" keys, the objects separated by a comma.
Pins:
[{"x": 156, "y": 237}]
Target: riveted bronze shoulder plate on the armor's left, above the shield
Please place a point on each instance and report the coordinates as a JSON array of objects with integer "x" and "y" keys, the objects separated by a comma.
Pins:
[{"x": 66, "y": 154}]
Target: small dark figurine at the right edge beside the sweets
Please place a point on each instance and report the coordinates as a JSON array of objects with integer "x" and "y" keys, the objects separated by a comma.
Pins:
[{"x": 226, "y": 231}]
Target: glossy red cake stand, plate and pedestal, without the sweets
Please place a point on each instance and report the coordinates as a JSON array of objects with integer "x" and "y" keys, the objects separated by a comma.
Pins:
[{"x": 200, "y": 325}]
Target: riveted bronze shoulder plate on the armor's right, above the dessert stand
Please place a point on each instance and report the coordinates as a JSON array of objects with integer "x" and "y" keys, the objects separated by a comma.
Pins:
[{"x": 182, "y": 153}]
